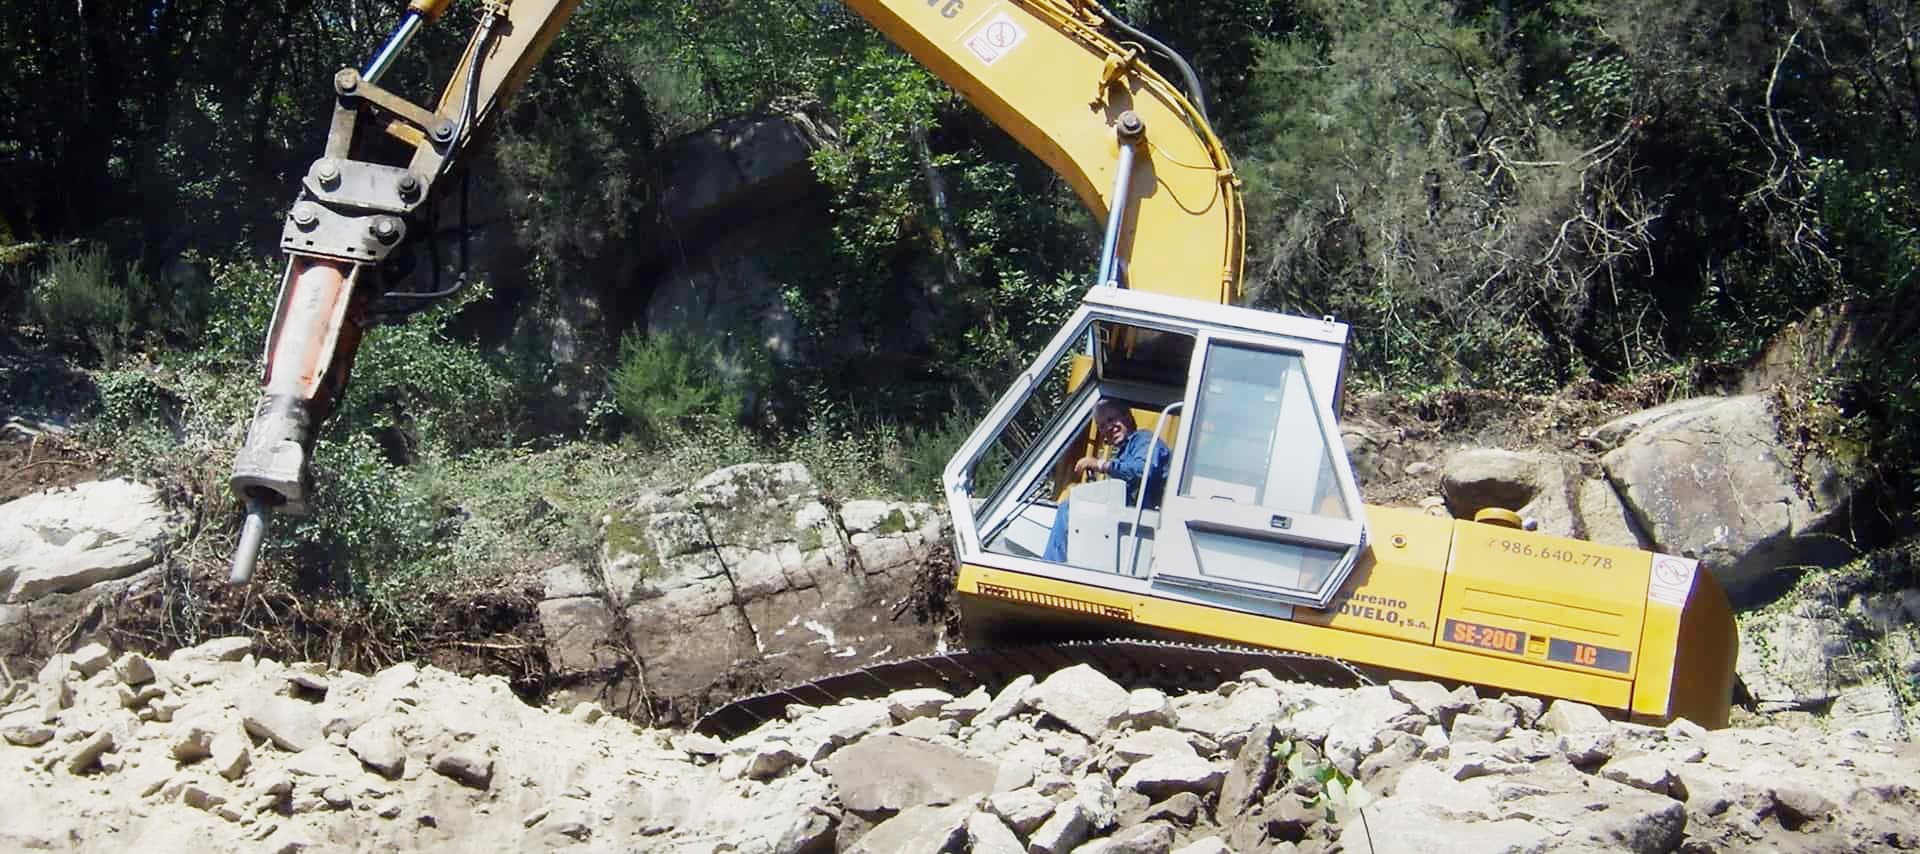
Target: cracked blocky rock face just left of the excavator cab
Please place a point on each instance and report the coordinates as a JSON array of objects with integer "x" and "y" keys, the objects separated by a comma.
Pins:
[{"x": 744, "y": 579}]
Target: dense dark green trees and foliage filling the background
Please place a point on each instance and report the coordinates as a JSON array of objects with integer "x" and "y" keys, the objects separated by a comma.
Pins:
[{"x": 1520, "y": 195}]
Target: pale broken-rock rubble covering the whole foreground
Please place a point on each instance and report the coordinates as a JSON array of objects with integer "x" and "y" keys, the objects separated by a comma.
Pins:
[{"x": 216, "y": 751}]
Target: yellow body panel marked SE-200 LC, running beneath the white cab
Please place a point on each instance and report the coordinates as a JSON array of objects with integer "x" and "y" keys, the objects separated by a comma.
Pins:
[{"x": 1435, "y": 602}]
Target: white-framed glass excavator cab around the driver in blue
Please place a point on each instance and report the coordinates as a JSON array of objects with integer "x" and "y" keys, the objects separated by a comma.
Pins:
[{"x": 1260, "y": 510}]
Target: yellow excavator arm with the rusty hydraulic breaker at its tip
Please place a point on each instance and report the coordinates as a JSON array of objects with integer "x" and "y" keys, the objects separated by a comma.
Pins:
[{"x": 1065, "y": 78}]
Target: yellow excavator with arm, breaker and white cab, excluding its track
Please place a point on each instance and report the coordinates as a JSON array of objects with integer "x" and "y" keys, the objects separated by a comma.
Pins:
[{"x": 1251, "y": 534}]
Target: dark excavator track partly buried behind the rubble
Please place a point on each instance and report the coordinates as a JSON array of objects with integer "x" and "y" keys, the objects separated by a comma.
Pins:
[{"x": 1132, "y": 663}]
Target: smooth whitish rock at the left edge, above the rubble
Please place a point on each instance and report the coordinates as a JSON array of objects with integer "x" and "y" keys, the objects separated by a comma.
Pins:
[{"x": 68, "y": 540}]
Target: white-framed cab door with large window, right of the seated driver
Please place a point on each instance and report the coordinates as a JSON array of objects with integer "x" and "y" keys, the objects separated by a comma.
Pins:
[{"x": 1264, "y": 500}]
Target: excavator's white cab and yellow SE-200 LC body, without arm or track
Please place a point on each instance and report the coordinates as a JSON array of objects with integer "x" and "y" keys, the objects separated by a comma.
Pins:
[{"x": 1260, "y": 536}]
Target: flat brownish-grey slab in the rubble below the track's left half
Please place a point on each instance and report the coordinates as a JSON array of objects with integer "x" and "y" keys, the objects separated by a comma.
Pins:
[{"x": 888, "y": 774}]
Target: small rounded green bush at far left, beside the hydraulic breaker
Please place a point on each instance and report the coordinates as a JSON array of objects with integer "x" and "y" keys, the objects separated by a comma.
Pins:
[{"x": 78, "y": 304}]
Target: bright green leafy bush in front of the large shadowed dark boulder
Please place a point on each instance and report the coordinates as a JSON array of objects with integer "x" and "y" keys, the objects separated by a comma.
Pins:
[{"x": 669, "y": 383}]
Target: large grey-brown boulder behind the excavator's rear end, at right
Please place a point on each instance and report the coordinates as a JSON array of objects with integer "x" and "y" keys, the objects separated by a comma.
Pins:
[{"x": 1717, "y": 483}]
